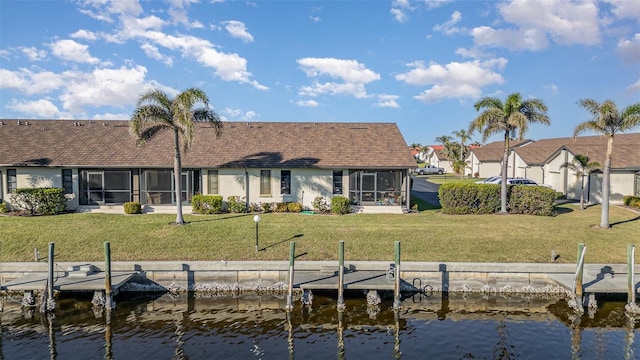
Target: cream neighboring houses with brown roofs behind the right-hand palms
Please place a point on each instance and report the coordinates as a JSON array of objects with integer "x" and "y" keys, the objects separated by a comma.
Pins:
[{"x": 541, "y": 161}]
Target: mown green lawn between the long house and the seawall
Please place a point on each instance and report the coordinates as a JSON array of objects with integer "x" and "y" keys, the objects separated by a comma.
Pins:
[{"x": 425, "y": 236}]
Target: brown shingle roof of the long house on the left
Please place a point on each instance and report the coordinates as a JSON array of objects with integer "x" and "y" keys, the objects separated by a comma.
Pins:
[{"x": 255, "y": 144}]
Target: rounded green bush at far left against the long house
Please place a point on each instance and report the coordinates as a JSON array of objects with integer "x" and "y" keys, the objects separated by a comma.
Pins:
[{"x": 39, "y": 201}]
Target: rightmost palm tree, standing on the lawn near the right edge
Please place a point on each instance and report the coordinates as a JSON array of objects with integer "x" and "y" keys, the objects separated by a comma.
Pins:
[{"x": 608, "y": 121}]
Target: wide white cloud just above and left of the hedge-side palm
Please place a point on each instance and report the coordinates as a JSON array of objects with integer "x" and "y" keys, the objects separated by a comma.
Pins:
[{"x": 453, "y": 80}]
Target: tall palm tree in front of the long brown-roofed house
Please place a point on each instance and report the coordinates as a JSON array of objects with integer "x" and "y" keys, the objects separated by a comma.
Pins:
[{"x": 156, "y": 111}]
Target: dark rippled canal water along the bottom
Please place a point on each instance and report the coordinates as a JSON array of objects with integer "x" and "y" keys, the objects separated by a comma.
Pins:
[{"x": 431, "y": 326}]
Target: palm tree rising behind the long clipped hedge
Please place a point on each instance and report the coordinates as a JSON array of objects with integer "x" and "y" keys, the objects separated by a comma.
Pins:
[{"x": 514, "y": 115}]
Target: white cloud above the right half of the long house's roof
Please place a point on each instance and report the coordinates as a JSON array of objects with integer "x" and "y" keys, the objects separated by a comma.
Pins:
[{"x": 352, "y": 74}]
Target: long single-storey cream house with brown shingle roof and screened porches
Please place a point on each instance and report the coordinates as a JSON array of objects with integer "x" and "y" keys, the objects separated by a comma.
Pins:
[{"x": 99, "y": 163}]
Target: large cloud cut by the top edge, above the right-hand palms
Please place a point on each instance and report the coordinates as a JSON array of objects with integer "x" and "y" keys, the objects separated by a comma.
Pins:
[{"x": 565, "y": 22}]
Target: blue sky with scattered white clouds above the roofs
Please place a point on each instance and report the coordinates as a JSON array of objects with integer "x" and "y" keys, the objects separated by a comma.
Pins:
[{"x": 420, "y": 64}]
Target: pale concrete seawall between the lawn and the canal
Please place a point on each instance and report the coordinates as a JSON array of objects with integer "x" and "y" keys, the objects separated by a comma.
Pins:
[{"x": 221, "y": 276}]
